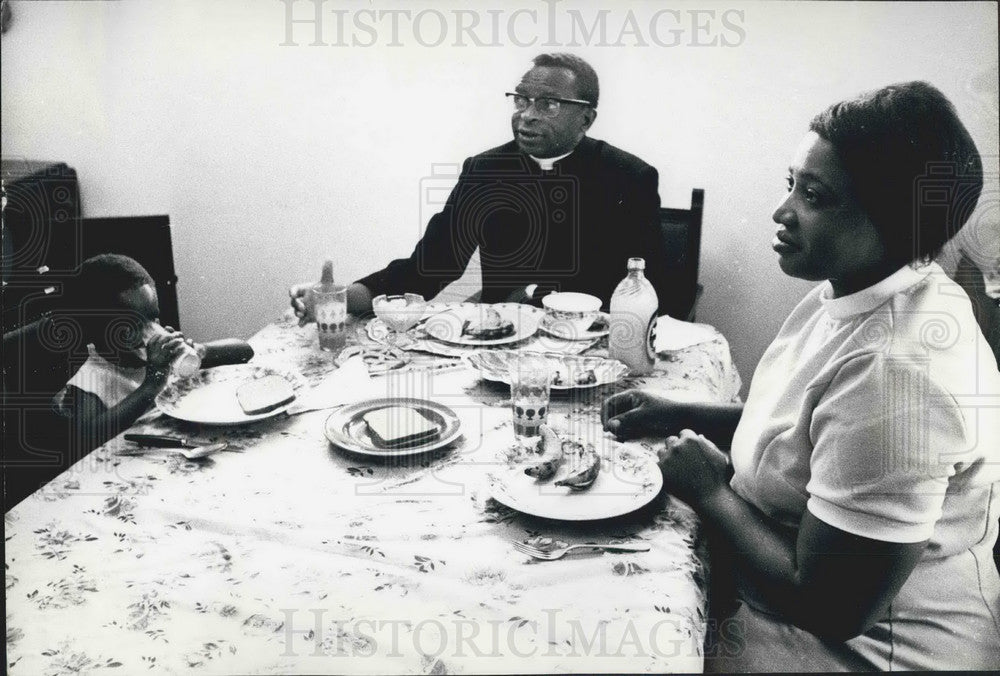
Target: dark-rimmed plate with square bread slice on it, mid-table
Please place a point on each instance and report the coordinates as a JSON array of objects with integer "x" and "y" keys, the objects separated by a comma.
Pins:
[{"x": 392, "y": 427}]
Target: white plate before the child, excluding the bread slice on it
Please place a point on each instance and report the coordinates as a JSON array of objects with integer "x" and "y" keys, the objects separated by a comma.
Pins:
[{"x": 209, "y": 396}]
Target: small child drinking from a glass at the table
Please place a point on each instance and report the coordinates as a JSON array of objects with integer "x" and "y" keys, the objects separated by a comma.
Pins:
[{"x": 129, "y": 355}]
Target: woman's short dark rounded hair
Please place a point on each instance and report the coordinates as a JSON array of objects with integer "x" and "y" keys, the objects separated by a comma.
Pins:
[{"x": 914, "y": 167}]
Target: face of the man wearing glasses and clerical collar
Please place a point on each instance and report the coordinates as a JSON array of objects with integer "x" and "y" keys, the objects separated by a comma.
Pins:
[{"x": 550, "y": 136}]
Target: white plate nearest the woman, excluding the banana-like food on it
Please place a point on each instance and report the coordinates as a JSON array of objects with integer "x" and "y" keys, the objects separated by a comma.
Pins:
[{"x": 629, "y": 479}]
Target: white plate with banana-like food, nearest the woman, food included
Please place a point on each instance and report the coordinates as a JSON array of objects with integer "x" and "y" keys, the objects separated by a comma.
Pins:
[{"x": 575, "y": 474}]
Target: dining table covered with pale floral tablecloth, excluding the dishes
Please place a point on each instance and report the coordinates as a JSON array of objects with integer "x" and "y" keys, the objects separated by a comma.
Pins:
[{"x": 294, "y": 555}]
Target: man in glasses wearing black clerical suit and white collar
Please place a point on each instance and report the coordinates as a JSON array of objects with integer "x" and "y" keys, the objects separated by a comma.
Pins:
[{"x": 552, "y": 210}]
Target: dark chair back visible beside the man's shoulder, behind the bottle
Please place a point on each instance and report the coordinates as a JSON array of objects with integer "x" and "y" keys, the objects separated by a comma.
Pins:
[{"x": 681, "y": 231}]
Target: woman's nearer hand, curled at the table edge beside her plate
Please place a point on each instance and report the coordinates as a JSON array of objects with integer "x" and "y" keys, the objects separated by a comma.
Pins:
[{"x": 693, "y": 467}]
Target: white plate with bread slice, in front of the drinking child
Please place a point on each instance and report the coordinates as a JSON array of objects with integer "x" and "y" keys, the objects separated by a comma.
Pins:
[{"x": 231, "y": 395}]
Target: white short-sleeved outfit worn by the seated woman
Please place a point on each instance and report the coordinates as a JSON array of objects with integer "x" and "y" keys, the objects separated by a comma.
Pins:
[{"x": 879, "y": 412}]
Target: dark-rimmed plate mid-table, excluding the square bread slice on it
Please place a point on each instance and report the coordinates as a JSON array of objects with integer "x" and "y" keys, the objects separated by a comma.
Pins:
[{"x": 347, "y": 429}]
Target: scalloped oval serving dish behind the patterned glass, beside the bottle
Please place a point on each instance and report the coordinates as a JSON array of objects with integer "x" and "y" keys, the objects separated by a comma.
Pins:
[{"x": 569, "y": 371}]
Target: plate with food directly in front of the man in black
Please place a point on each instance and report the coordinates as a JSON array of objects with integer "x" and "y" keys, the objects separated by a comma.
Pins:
[{"x": 478, "y": 324}]
